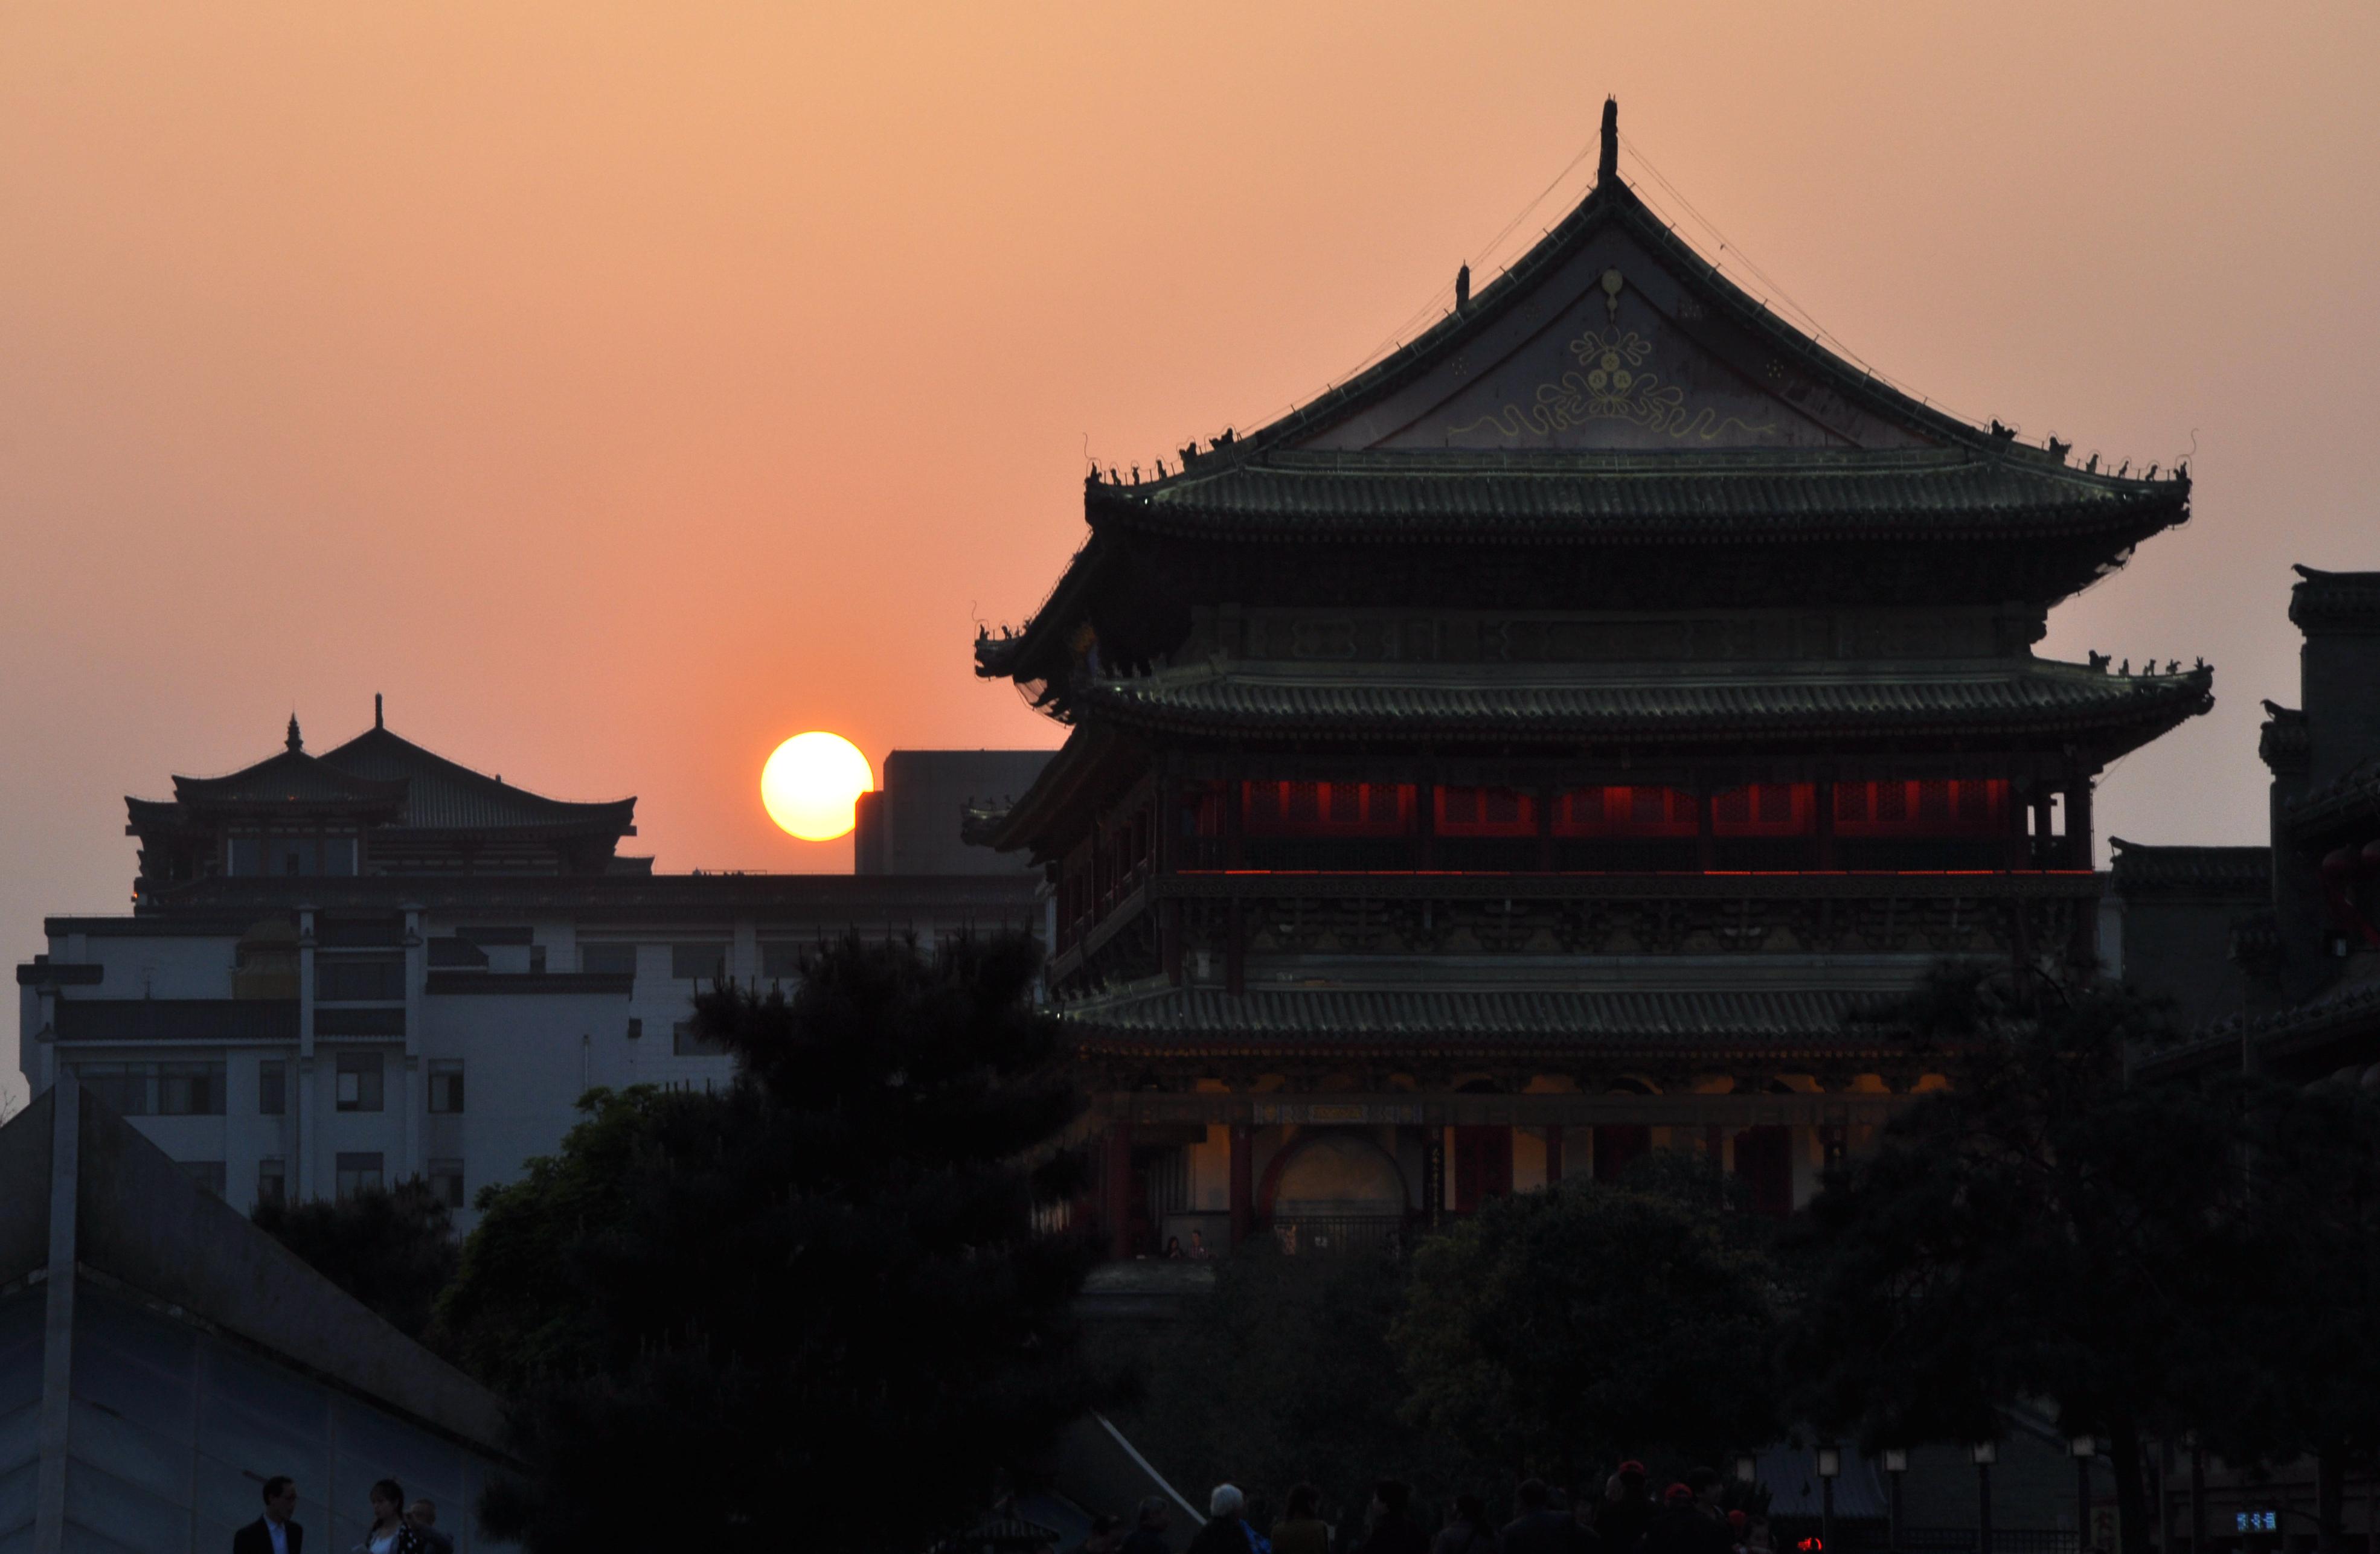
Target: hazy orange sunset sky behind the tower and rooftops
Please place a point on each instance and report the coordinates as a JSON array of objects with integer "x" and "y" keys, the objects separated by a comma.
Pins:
[{"x": 622, "y": 389}]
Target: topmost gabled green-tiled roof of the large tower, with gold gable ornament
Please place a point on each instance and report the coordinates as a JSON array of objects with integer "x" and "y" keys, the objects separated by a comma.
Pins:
[{"x": 1612, "y": 389}]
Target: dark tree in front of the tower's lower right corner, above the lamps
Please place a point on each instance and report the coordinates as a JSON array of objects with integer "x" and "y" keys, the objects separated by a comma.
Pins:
[{"x": 2043, "y": 1229}]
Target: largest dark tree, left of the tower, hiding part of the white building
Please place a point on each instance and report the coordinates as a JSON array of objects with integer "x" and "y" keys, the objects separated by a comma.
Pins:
[{"x": 727, "y": 1315}]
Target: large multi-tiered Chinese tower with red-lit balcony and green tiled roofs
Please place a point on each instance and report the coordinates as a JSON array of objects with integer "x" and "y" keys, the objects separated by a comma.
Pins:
[{"x": 1527, "y": 753}]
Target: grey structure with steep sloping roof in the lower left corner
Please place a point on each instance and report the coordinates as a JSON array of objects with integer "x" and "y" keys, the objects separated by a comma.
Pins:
[{"x": 161, "y": 1360}]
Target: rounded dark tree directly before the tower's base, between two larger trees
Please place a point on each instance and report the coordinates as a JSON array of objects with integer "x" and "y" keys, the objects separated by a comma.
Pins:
[{"x": 1562, "y": 1331}]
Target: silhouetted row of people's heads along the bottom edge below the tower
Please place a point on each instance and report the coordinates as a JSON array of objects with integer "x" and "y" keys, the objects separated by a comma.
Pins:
[{"x": 1624, "y": 1517}]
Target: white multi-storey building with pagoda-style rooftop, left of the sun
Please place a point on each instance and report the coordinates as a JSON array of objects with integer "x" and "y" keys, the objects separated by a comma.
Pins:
[{"x": 375, "y": 963}]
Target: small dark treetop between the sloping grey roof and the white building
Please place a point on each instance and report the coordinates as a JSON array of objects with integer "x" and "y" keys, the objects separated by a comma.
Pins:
[{"x": 392, "y": 1248}]
